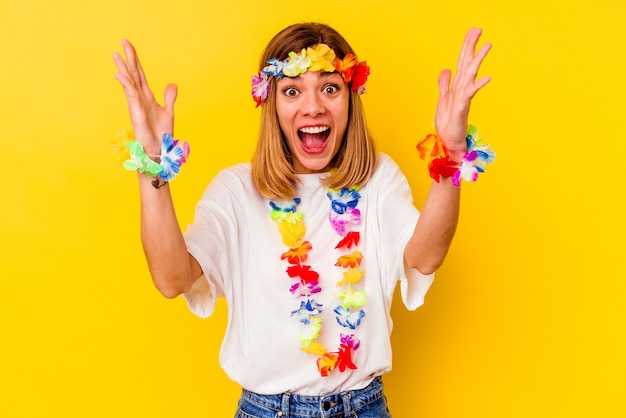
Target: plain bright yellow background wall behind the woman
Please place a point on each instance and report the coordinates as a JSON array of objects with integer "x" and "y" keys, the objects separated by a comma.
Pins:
[{"x": 527, "y": 316}]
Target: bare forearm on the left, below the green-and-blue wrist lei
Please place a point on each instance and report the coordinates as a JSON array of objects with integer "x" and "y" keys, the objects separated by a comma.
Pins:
[{"x": 162, "y": 239}]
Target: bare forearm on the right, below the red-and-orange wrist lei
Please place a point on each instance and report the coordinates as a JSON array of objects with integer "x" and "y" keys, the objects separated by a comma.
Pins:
[{"x": 435, "y": 229}]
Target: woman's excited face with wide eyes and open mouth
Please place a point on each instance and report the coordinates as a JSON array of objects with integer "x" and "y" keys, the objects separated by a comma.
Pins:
[{"x": 312, "y": 112}]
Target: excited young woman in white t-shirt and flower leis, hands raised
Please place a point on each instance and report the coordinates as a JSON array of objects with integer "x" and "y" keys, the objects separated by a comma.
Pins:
[{"x": 308, "y": 241}]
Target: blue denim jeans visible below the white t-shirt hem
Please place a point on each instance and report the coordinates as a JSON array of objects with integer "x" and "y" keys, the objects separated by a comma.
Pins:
[{"x": 369, "y": 402}]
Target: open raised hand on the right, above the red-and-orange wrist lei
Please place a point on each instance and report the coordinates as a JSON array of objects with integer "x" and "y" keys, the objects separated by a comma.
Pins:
[{"x": 455, "y": 98}]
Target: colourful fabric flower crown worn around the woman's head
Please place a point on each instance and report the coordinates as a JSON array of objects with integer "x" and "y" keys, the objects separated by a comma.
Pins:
[{"x": 320, "y": 58}]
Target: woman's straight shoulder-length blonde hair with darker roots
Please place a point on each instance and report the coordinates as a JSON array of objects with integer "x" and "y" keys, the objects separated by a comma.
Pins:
[{"x": 272, "y": 166}]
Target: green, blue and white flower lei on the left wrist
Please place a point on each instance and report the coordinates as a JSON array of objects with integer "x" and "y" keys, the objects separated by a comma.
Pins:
[{"x": 174, "y": 154}]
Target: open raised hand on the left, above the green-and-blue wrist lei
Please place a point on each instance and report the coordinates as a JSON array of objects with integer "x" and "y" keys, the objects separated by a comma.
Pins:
[{"x": 150, "y": 120}]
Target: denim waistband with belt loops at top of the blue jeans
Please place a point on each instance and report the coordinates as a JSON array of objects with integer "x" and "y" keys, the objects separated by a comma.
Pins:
[{"x": 335, "y": 405}]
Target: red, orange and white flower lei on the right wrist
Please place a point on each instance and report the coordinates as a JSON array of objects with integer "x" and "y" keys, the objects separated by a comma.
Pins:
[{"x": 434, "y": 152}]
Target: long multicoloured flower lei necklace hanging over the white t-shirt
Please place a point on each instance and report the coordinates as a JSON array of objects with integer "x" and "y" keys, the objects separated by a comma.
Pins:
[{"x": 343, "y": 215}]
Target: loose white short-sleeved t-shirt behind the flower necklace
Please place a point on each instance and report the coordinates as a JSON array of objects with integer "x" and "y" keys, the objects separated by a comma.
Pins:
[{"x": 239, "y": 247}]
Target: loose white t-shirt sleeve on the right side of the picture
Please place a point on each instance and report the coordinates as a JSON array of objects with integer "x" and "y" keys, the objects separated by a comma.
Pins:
[{"x": 400, "y": 217}]
